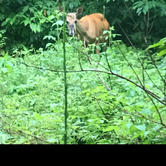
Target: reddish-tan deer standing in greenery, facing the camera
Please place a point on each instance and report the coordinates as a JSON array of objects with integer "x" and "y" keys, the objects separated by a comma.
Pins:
[{"x": 88, "y": 27}]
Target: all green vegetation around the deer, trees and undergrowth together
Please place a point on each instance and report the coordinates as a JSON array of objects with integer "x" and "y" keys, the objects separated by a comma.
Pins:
[{"x": 117, "y": 97}]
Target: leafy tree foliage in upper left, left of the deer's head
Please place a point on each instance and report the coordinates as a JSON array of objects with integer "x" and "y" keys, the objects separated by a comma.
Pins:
[{"x": 27, "y": 22}]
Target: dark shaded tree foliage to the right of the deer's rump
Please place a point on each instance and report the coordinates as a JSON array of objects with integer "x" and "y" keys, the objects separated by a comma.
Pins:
[{"x": 141, "y": 21}]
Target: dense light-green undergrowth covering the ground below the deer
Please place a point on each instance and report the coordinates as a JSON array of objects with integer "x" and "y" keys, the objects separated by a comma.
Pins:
[{"x": 106, "y": 101}]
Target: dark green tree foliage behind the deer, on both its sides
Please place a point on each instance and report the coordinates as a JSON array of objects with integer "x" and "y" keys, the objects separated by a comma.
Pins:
[{"x": 29, "y": 22}]
